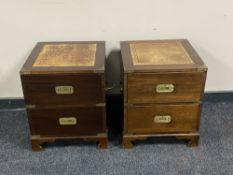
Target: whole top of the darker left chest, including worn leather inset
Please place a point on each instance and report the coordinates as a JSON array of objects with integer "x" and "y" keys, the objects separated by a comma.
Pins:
[{"x": 62, "y": 57}]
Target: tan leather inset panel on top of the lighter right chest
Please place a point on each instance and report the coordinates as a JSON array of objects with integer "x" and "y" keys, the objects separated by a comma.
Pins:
[{"x": 152, "y": 53}]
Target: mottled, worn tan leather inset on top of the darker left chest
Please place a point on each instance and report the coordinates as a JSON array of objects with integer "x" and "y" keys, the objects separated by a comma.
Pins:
[{"x": 66, "y": 55}]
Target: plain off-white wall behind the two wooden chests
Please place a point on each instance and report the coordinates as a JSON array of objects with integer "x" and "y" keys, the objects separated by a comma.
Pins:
[{"x": 208, "y": 24}]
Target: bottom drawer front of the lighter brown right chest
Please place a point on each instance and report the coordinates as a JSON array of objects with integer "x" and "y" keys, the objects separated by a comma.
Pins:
[{"x": 163, "y": 119}]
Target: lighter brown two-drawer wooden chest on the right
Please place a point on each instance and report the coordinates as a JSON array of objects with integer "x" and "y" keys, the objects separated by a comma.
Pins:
[{"x": 164, "y": 82}]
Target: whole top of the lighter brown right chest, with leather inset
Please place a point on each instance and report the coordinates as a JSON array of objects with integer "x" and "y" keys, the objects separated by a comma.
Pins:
[{"x": 160, "y": 55}]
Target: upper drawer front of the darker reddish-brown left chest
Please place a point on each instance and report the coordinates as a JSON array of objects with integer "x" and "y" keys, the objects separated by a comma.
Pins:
[{"x": 63, "y": 89}]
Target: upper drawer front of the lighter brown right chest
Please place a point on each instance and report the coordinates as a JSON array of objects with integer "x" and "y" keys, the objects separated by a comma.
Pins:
[{"x": 166, "y": 87}]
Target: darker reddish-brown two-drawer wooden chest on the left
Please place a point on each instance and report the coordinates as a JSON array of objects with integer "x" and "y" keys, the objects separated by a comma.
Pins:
[{"x": 64, "y": 89}]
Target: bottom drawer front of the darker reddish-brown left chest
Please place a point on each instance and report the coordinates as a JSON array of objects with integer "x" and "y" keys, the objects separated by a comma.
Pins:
[{"x": 67, "y": 121}]
